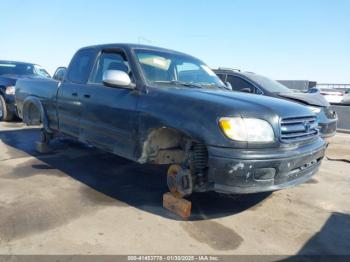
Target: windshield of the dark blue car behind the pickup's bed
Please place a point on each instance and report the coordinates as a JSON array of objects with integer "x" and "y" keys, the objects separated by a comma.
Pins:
[{"x": 22, "y": 69}]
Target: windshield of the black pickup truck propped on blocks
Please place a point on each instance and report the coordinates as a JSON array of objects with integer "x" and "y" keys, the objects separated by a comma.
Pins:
[{"x": 168, "y": 68}]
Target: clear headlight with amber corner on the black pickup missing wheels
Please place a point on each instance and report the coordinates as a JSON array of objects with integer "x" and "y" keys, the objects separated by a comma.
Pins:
[{"x": 247, "y": 129}]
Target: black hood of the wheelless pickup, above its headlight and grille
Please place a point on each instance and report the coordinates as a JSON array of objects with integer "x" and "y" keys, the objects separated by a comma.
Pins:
[{"x": 246, "y": 105}]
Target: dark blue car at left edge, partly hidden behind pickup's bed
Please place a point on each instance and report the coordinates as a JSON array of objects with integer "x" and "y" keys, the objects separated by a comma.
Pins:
[{"x": 10, "y": 72}]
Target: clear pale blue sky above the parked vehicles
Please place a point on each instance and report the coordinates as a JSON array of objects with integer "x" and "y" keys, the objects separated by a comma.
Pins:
[{"x": 288, "y": 39}]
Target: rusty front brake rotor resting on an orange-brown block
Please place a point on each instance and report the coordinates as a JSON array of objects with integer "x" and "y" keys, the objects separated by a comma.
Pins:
[{"x": 179, "y": 181}]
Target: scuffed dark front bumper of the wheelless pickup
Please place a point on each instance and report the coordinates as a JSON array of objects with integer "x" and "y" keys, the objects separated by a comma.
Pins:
[{"x": 260, "y": 170}]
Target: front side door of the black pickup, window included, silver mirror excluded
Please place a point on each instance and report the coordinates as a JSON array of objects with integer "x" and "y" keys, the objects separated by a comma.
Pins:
[{"x": 109, "y": 119}]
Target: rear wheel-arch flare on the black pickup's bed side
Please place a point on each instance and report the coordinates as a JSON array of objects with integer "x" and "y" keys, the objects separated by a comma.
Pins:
[{"x": 34, "y": 101}]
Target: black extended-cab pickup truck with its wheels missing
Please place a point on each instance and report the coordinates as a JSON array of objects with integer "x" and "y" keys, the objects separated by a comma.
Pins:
[{"x": 154, "y": 105}]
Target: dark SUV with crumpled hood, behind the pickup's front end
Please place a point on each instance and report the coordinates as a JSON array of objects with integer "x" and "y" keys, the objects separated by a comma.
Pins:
[{"x": 249, "y": 82}]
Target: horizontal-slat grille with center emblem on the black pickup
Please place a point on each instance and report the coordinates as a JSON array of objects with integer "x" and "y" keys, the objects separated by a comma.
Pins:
[{"x": 298, "y": 129}]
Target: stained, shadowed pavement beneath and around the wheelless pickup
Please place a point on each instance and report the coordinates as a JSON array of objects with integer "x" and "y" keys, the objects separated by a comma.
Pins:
[{"x": 78, "y": 200}]
